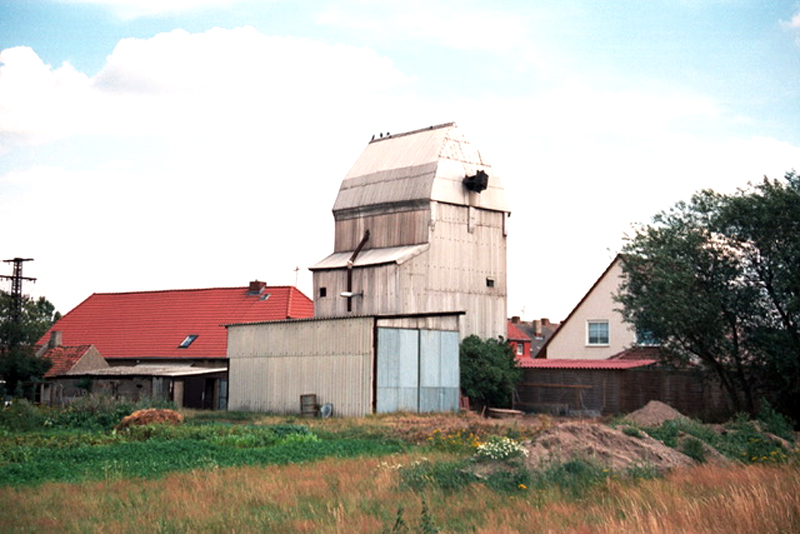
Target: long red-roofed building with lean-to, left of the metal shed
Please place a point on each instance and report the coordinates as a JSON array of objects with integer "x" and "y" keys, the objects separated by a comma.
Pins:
[{"x": 165, "y": 344}]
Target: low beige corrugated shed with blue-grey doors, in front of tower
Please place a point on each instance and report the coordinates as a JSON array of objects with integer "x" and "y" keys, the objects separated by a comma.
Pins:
[{"x": 358, "y": 364}]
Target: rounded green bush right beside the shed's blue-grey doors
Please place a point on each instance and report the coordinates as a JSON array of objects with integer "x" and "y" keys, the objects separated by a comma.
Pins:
[{"x": 489, "y": 370}]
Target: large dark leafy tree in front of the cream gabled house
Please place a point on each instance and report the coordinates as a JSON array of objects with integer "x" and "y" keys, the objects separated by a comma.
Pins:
[{"x": 717, "y": 280}]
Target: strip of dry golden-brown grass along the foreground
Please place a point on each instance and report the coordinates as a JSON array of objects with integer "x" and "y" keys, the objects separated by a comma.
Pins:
[{"x": 363, "y": 495}]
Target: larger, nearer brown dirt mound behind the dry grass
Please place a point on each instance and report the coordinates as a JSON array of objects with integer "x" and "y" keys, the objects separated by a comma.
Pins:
[{"x": 608, "y": 446}]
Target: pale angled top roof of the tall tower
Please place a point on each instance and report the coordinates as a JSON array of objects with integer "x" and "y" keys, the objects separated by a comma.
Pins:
[{"x": 421, "y": 165}]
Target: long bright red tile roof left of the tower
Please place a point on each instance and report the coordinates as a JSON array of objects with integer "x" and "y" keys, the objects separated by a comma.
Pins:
[{"x": 153, "y": 324}]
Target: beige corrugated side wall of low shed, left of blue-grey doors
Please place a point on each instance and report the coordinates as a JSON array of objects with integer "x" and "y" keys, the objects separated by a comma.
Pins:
[{"x": 273, "y": 364}]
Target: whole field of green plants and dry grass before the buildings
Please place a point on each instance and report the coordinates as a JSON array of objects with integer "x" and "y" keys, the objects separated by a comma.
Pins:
[{"x": 398, "y": 473}]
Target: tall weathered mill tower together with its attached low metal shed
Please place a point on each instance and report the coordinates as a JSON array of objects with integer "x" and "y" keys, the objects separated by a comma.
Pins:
[{"x": 419, "y": 263}]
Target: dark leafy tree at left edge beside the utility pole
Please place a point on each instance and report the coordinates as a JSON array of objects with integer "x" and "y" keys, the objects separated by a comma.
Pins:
[{"x": 18, "y": 363}]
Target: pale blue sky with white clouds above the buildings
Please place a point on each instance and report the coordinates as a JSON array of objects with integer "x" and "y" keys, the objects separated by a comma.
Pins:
[{"x": 177, "y": 144}]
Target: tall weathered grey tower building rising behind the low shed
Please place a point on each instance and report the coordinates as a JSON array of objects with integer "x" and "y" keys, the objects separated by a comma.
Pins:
[{"x": 420, "y": 226}]
